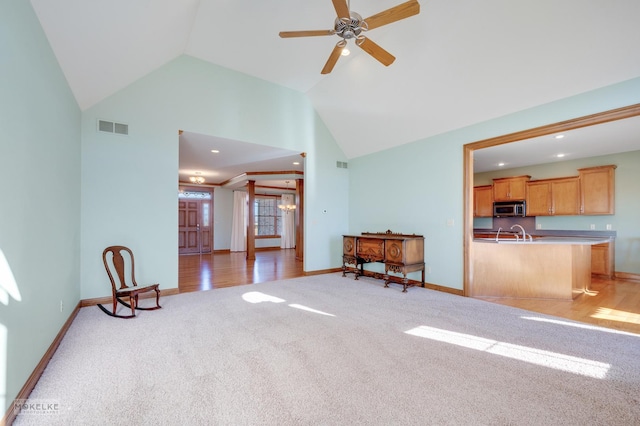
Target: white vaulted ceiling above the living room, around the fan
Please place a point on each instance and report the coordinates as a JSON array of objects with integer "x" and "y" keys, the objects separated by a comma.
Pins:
[{"x": 457, "y": 63}]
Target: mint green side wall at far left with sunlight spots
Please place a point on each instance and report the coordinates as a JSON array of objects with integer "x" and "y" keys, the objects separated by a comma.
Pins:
[{"x": 40, "y": 187}]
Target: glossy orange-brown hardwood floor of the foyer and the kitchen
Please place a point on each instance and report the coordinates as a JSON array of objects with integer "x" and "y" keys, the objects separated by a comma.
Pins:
[{"x": 608, "y": 303}]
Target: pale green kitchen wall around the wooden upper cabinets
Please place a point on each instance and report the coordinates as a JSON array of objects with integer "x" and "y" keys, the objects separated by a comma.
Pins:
[{"x": 626, "y": 221}]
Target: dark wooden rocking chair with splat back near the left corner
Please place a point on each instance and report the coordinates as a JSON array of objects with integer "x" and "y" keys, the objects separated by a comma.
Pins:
[{"x": 115, "y": 262}]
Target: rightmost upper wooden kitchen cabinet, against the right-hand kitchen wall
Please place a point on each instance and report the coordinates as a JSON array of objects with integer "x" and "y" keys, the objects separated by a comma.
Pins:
[{"x": 597, "y": 190}]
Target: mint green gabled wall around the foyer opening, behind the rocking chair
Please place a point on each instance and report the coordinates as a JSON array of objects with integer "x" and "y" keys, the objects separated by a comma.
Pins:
[{"x": 129, "y": 183}]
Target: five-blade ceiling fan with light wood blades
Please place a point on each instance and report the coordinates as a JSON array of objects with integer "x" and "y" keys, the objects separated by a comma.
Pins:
[{"x": 349, "y": 25}]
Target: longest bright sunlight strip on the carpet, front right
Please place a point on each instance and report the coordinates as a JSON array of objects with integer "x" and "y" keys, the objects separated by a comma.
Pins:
[{"x": 535, "y": 356}]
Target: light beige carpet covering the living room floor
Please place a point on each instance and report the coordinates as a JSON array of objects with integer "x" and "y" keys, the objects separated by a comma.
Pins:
[{"x": 327, "y": 350}]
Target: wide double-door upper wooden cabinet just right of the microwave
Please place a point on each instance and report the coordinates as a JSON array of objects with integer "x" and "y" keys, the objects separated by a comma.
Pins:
[{"x": 553, "y": 197}]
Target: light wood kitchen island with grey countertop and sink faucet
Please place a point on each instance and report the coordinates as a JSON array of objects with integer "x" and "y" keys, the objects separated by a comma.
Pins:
[{"x": 545, "y": 268}]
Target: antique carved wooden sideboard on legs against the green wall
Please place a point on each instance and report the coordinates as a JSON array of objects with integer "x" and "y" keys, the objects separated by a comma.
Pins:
[{"x": 400, "y": 253}]
